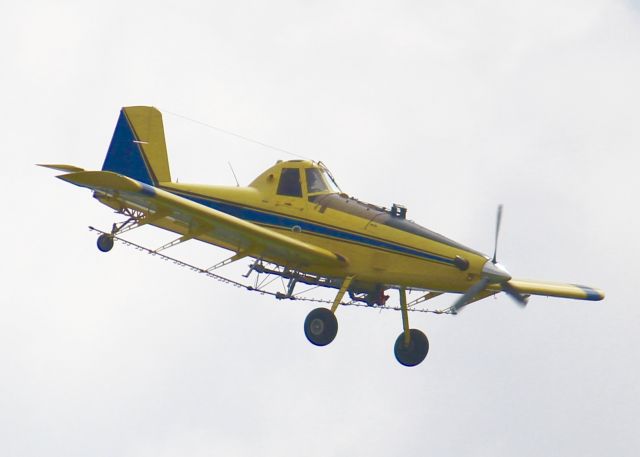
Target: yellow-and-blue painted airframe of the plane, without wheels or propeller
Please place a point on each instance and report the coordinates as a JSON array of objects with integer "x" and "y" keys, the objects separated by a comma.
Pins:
[{"x": 314, "y": 228}]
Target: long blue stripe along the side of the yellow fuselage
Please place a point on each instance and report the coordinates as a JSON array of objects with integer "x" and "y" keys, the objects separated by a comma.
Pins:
[{"x": 286, "y": 222}]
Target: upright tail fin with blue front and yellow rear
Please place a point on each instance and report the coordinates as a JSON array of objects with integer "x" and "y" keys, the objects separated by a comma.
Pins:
[{"x": 138, "y": 149}]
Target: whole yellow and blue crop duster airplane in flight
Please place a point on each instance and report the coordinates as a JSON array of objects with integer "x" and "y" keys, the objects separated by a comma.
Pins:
[{"x": 294, "y": 218}]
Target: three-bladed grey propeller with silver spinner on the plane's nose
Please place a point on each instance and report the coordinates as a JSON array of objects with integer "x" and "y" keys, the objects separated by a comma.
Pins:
[{"x": 493, "y": 273}]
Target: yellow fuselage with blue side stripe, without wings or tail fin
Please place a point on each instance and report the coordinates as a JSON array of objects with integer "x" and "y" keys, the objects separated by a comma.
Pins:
[{"x": 377, "y": 253}]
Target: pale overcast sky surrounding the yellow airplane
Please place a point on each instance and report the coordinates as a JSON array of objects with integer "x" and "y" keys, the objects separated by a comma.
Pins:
[{"x": 448, "y": 107}]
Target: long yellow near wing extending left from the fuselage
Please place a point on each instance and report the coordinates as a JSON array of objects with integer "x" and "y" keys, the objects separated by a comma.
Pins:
[{"x": 205, "y": 223}]
